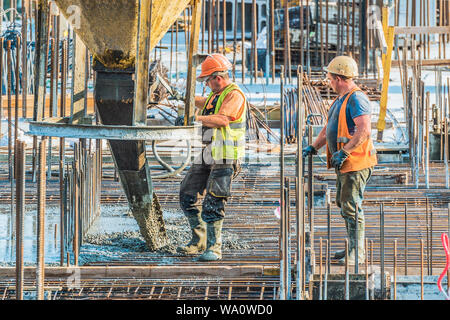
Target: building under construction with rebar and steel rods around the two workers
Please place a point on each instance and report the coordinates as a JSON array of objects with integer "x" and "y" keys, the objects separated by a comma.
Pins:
[{"x": 91, "y": 159}]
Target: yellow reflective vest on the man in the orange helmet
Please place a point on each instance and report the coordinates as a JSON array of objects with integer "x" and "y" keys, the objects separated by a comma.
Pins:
[{"x": 229, "y": 142}]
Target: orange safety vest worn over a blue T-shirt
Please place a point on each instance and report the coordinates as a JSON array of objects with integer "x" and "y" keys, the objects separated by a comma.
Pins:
[{"x": 365, "y": 156}]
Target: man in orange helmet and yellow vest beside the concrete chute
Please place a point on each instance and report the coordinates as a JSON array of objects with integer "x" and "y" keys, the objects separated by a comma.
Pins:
[{"x": 223, "y": 118}]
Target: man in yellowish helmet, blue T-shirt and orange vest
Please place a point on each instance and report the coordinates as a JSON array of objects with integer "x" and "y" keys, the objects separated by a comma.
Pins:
[{"x": 350, "y": 149}]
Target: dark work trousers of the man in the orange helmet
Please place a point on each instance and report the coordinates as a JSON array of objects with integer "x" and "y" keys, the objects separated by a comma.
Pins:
[{"x": 215, "y": 180}]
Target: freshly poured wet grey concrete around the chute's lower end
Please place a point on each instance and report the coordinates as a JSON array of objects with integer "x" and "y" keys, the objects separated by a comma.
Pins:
[{"x": 114, "y": 236}]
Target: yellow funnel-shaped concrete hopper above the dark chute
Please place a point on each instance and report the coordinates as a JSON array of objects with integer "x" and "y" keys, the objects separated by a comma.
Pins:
[{"x": 109, "y": 27}]
